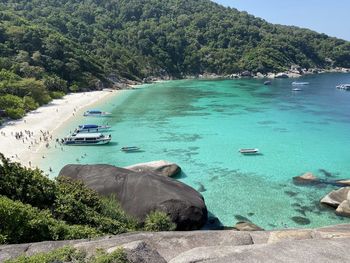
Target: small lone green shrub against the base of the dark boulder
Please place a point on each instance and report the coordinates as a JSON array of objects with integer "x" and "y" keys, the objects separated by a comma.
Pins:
[{"x": 158, "y": 221}]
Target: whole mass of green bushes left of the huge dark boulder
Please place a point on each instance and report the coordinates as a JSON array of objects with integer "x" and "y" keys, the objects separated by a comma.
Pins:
[{"x": 34, "y": 208}]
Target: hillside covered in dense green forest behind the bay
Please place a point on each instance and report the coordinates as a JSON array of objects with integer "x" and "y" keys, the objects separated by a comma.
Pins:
[{"x": 48, "y": 48}]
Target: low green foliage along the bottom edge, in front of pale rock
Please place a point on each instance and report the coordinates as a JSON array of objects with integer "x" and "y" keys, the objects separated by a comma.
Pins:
[{"x": 69, "y": 254}]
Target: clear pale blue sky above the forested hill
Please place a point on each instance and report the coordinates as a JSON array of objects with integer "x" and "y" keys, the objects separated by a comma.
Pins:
[{"x": 324, "y": 16}]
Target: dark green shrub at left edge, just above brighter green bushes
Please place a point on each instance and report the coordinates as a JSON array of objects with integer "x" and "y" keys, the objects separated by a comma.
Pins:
[{"x": 26, "y": 185}]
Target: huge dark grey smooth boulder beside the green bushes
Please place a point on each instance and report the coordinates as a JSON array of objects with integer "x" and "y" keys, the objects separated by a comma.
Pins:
[{"x": 141, "y": 193}]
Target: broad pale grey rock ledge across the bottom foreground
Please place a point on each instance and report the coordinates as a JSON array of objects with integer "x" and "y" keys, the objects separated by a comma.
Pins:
[{"x": 328, "y": 244}]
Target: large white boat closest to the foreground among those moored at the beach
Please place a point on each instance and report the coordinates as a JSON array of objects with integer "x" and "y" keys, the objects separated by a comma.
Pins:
[{"x": 87, "y": 139}]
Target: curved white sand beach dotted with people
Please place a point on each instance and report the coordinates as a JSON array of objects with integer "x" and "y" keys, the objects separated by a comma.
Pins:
[{"x": 42, "y": 123}]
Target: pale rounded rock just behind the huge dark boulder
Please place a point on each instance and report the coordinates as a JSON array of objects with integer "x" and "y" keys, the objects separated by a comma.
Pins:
[{"x": 162, "y": 167}]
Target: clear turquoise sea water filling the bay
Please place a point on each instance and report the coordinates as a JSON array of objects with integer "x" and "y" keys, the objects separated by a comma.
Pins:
[{"x": 201, "y": 124}]
